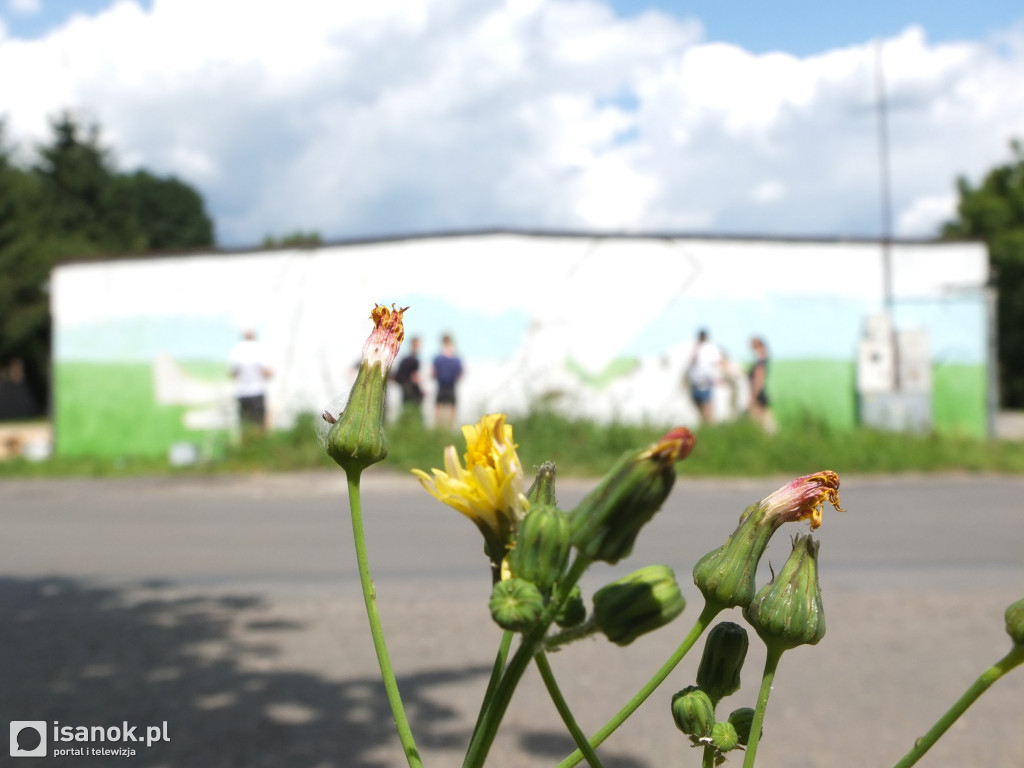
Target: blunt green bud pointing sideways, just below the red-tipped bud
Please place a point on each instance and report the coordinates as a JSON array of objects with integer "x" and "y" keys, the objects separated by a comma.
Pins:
[{"x": 638, "y": 604}]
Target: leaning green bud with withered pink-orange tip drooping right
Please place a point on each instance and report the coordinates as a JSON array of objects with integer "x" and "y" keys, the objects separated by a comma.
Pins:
[{"x": 727, "y": 576}]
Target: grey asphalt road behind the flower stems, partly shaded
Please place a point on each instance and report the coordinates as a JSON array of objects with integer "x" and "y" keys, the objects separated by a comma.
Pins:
[{"x": 230, "y": 609}]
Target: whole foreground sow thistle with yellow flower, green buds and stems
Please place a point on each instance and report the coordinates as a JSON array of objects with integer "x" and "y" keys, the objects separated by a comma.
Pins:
[{"x": 538, "y": 552}]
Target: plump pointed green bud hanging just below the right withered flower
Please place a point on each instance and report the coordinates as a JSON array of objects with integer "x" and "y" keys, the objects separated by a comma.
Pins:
[{"x": 788, "y": 612}]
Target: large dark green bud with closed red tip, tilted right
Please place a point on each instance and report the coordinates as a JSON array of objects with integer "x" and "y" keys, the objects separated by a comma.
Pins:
[{"x": 607, "y": 523}]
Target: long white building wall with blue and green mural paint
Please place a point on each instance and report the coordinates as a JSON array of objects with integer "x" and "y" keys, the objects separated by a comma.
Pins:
[{"x": 600, "y": 327}]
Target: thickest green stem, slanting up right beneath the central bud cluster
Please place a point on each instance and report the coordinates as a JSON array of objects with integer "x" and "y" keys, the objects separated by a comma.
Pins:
[{"x": 533, "y": 642}]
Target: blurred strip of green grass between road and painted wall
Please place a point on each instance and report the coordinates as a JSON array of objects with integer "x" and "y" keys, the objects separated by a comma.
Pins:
[{"x": 585, "y": 449}]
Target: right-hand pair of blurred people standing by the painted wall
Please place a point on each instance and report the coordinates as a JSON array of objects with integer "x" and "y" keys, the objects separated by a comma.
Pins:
[{"x": 707, "y": 369}]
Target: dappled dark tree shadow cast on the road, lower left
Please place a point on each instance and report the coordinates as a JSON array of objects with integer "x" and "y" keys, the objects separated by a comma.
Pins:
[{"x": 81, "y": 655}]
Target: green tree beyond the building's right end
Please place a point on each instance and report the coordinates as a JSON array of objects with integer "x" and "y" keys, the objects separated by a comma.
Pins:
[{"x": 995, "y": 212}]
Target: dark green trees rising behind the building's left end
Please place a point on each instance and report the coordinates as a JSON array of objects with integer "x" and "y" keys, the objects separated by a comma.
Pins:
[{"x": 74, "y": 205}]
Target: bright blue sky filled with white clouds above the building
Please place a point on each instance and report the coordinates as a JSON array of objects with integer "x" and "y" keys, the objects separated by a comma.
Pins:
[{"x": 399, "y": 117}]
